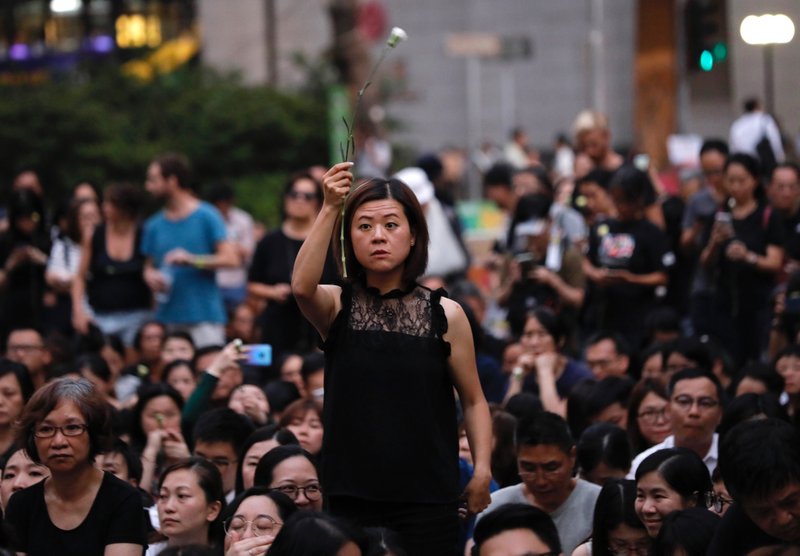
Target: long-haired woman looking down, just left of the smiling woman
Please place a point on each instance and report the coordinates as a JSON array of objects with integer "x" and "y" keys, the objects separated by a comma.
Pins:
[{"x": 616, "y": 529}]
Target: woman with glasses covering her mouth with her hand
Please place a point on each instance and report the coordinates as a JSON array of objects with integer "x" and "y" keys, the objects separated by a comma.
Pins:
[{"x": 253, "y": 520}]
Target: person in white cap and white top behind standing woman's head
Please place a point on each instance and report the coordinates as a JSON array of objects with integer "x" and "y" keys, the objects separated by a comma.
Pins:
[{"x": 446, "y": 255}]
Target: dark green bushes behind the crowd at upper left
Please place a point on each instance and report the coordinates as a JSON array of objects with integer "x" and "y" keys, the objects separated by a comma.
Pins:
[{"x": 106, "y": 128}]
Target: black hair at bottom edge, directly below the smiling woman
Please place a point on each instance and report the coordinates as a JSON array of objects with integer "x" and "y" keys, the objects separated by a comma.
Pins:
[{"x": 687, "y": 531}]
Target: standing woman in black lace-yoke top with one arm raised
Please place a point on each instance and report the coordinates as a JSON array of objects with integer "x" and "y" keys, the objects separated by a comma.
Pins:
[{"x": 390, "y": 454}]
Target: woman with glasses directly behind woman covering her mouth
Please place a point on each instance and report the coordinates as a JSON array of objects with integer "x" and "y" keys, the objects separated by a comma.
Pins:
[{"x": 291, "y": 470}]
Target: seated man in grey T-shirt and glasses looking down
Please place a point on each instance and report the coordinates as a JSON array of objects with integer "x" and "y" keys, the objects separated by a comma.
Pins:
[{"x": 546, "y": 461}]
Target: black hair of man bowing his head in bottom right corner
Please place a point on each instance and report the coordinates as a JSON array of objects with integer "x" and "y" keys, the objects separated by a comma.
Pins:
[{"x": 758, "y": 458}]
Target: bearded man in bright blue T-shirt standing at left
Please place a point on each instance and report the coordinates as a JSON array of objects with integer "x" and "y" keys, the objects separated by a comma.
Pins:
[{"x": 185, "y": 243}]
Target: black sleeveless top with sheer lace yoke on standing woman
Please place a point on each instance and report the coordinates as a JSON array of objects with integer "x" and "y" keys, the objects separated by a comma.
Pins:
[{"x": 389, "y": 415}]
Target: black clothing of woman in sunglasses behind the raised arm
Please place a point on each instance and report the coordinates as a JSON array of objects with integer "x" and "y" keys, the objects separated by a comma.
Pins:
[{"x": 282, "y": 324}]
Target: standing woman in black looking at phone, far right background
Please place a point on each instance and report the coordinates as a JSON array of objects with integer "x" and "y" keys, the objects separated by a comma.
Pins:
[{"x": 744, "y": 254}]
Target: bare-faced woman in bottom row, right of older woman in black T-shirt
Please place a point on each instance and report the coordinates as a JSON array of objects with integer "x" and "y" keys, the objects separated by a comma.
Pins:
[{"x": 190, "y": 501}]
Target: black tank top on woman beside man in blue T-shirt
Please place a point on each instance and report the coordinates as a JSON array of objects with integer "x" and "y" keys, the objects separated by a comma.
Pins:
[{"x": 114, "y": 285}]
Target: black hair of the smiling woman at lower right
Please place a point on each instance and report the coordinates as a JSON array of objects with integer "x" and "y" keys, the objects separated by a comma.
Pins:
[{"x": 682, "y": 469}]
